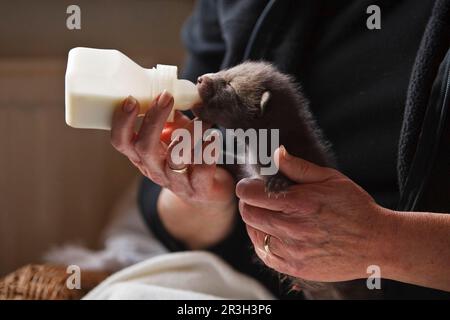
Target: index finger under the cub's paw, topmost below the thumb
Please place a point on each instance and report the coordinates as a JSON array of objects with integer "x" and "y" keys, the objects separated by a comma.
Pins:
[{"x": 252, "y": 191}]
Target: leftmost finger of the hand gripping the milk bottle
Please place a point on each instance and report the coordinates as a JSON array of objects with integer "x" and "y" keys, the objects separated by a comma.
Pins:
[{"x": 122, "y": 128}]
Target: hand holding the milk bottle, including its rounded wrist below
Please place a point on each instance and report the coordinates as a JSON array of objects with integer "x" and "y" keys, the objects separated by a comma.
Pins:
[{"x": 197, "y": 205}]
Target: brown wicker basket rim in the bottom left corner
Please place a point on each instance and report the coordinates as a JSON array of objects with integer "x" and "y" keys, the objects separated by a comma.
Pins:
[{"x": 46, "y": 282}]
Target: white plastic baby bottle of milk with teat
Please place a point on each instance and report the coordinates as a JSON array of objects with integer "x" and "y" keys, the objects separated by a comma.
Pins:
[{"x": 98, "y": 80}]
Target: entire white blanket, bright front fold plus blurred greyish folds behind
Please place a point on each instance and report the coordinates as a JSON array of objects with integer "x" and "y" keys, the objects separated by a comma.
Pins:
[{"x": 146, "y": 270}]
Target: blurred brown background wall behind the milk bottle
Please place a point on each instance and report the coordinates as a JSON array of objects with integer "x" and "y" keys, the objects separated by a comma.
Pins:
[{"x": 58, "y": 184}]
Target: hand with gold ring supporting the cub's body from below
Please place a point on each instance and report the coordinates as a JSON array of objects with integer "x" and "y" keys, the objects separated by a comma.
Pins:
[{"x": 325, "y": 228}]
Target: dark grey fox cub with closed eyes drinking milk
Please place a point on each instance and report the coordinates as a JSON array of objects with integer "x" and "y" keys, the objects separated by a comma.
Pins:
[{"x": 256, "y": 95}]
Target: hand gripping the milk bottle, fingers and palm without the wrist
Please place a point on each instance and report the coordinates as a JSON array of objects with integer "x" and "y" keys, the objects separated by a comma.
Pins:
[{"x": 201, "y": 183}]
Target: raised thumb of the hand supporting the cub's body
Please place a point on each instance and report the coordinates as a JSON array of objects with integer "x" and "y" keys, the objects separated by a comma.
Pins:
[{"x": 300, "y": 170}]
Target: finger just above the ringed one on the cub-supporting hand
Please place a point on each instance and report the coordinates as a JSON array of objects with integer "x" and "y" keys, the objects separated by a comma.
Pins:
[{"x": 268, "y": 221}]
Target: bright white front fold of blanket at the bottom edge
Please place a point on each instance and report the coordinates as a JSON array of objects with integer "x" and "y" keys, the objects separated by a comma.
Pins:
[{"x": 184, "y": 275}]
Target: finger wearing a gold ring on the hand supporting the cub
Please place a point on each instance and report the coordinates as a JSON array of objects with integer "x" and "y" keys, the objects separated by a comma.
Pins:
[{"x": 275, "y": 258}]
